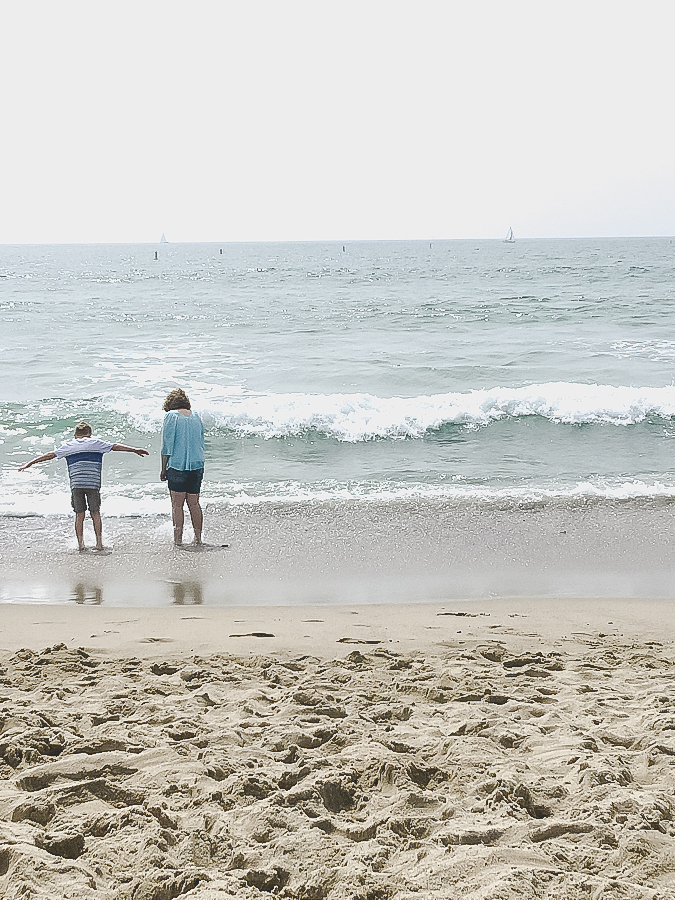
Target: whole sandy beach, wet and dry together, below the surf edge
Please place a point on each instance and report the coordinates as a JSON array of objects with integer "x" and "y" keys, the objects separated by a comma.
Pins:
[{"x": 232, "y": 737}]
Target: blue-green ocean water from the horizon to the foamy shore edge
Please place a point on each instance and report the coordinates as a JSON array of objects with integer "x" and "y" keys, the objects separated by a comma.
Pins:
[{"x": 476, "y": 371}]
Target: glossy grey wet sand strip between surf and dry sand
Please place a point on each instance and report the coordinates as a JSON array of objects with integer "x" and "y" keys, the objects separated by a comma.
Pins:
[{"x": 303, "y": 554}]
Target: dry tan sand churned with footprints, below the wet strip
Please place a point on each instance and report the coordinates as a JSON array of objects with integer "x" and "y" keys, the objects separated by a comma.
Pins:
[{"x": 488, "y": 749}]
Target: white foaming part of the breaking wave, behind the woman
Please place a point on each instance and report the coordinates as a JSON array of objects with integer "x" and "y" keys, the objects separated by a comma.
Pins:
[{"x": 361, "y": 417}]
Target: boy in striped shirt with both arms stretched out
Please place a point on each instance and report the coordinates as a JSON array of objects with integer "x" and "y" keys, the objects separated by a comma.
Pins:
[{"x": 84, "y": 455}]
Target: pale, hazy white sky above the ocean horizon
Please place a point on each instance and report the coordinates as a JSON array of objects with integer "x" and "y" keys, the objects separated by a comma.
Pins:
[{"x": 245, "y": 121}]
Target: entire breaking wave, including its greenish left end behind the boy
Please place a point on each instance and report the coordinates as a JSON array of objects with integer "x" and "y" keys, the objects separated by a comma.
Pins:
[{"x": 349, "y": 417}]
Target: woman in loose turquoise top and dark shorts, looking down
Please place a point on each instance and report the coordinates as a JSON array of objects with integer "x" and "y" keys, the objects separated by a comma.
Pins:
[{"x": 183, "y": 462}]
